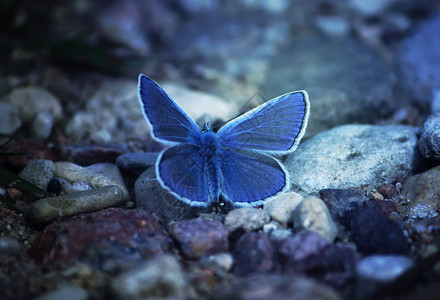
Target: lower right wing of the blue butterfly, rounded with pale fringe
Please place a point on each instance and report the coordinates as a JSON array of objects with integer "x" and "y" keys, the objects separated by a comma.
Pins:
[{"x": 249, "y": 177}]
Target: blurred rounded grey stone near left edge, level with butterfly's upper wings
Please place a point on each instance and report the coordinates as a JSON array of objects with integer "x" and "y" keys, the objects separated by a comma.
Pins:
[{"x": 30, "y": 100}]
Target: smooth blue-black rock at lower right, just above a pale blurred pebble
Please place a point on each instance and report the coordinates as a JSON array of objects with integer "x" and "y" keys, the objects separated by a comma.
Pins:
[{"x": 374, "y": 233}]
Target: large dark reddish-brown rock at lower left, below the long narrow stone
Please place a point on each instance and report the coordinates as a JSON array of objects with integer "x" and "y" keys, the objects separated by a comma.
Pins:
[{"x": 62, "y": 241}]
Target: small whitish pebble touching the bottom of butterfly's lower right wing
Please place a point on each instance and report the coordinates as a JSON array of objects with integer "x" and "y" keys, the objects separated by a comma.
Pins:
[{"x": 280, "y": 207}]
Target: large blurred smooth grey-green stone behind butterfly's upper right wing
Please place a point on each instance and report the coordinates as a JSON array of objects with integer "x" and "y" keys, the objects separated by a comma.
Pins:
[{"x": 346, "y": 81}]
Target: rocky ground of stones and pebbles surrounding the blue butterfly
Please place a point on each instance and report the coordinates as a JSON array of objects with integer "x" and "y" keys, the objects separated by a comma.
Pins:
[{"x": 361, "y": 220}]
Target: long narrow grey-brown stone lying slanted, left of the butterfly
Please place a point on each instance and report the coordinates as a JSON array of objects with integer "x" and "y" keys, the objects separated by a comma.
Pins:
[{"x": 50, "y": 209}]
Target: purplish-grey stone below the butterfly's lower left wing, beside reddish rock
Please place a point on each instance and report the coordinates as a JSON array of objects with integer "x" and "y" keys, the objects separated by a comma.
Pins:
[{"x": 198, "y": 238}]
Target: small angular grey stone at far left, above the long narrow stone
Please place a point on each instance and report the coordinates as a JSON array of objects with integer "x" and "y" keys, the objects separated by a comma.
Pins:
[{"x": 39, "y": 172}]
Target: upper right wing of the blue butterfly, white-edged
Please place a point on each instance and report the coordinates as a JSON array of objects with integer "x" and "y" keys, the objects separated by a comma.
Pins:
[{"x": 275, "y": 126}]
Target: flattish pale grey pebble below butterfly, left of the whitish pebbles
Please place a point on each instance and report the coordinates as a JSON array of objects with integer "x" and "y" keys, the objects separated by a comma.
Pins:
[{"x": 248, "y": 218}]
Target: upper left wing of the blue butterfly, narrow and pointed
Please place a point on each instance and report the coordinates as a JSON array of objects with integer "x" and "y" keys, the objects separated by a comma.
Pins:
[{"x": 168, "y": 121}]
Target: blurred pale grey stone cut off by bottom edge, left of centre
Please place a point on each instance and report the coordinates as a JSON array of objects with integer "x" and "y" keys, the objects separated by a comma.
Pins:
[{"x": 158, "y": 278}]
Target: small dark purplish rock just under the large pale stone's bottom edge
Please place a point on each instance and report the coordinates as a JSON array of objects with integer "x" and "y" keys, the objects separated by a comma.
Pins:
[{"x": 338, "y": 200}]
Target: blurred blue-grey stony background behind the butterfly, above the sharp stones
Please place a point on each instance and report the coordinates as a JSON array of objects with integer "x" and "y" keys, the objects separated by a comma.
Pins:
[{"x": 69, "y": 69}]
